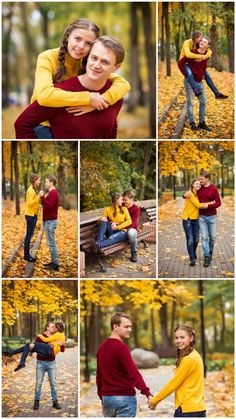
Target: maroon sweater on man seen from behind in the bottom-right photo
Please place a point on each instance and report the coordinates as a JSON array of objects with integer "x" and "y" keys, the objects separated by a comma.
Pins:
[{"x": 117, "y": 374}]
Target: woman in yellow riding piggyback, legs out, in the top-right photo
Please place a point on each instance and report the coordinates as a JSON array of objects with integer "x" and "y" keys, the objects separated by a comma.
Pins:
[{"x": 186, "y": 51}]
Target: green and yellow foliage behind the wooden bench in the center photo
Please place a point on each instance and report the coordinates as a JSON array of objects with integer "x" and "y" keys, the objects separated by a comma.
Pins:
[{"x": 108, "y": 166}]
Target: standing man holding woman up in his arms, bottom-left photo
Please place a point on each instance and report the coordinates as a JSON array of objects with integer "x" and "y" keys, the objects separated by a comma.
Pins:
[{"x": 46, "y": 365}]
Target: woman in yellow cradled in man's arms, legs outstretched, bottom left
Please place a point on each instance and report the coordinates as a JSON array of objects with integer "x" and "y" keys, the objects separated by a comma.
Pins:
[{"x": 50, "y": 348}]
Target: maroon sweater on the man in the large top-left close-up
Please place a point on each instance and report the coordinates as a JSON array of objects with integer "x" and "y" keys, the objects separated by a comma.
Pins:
[{"x": 96, "y": 124}]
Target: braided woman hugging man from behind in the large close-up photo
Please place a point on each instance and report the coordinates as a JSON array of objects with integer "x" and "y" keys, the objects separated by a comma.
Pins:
[{"x": 69, "y": 60}]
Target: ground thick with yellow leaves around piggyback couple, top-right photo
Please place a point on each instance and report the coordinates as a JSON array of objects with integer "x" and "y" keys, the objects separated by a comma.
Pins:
[{"x": 219, "y": 113}]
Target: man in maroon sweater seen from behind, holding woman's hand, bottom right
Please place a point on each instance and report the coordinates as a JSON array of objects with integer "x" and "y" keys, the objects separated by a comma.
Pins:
[{"x": 117, "y": 375}]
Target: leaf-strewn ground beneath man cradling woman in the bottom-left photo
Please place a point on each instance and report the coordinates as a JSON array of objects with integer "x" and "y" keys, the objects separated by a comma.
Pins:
[{"x": 18, "y": 389}]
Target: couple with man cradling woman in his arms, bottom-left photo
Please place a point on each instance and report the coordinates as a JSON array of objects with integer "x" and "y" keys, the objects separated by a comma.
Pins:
[{"x": 47, "y": 346}]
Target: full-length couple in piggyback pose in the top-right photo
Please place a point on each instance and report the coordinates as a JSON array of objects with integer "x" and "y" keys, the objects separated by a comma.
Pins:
[{"x": 192, "y": 63}]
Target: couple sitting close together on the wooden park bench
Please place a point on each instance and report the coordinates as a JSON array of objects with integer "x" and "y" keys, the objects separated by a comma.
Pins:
[{"x": 119, "y": 222}]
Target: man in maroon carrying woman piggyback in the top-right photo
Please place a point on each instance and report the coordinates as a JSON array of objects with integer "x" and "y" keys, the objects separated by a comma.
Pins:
[{"x": 198, "y": 69}]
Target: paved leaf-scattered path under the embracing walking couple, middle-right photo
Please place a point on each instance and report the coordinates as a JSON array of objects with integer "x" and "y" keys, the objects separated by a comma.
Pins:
[{"x": 173, "y": 260}]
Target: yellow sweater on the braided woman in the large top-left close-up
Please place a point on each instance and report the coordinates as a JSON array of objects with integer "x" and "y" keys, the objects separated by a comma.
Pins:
[{"x": 47, "y": 95}]
